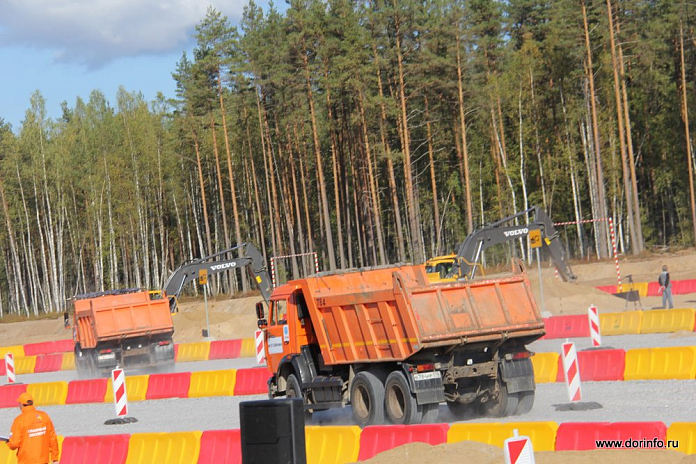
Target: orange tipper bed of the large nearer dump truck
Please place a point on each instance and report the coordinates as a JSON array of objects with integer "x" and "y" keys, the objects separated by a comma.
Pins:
[{"x": 390, "y": 314}]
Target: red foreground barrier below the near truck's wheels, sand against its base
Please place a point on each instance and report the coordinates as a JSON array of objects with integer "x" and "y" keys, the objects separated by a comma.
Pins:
[{"x": 378, "y": 438}]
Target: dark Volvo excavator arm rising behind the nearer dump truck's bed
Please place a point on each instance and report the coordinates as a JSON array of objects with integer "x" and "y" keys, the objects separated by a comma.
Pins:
[{"x": 499, "y": 232}]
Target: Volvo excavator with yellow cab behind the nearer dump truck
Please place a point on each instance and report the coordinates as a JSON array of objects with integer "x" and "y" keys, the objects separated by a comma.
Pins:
[{"x": 464, "y": 263}]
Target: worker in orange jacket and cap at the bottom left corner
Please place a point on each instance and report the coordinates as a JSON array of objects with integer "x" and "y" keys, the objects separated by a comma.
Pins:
[{"x": 33, "y": 435}]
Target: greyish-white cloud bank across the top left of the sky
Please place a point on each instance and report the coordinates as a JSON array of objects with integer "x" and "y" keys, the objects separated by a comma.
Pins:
[{"x": 96, "y": 32}]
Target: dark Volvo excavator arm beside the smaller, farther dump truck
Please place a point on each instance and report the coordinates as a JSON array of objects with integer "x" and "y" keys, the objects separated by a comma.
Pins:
[{"x": 252, "y": 259}]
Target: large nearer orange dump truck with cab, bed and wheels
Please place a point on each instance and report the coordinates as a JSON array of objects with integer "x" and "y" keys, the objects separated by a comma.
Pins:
[{"x": 394, "y": 346}]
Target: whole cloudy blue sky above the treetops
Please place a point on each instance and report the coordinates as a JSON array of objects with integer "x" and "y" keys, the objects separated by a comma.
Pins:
[{"x": 67, "y": 48}]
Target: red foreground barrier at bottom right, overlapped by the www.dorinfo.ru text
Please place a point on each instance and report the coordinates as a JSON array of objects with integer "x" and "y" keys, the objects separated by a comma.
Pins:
[{"x": 582, "y": 435}]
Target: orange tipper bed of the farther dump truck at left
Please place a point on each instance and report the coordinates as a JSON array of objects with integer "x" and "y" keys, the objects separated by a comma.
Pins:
[{"x": 114, "y": 317}]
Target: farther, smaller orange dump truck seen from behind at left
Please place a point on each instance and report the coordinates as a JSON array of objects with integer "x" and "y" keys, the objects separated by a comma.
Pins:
[{"x": 124, "y": 328}]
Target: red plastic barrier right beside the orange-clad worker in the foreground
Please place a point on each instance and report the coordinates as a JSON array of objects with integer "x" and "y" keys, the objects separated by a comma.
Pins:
[{"x": 102, "y": 449}]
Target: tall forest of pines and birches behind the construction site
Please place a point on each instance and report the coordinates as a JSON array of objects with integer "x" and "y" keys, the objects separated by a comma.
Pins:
[{"x": 371, "y": 132}]
